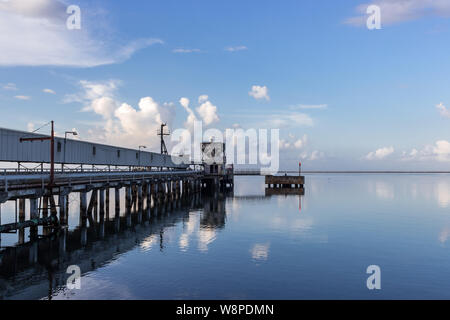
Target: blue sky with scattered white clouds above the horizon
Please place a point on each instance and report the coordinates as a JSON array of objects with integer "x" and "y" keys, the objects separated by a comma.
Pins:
[{"x": 343, "y": 96}]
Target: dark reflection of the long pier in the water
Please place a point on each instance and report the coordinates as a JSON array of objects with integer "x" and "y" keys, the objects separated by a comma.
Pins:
[{"x": 28, "y": 270}]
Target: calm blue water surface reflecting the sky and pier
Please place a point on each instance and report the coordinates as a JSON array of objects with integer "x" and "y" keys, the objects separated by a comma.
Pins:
[{"x": 252, "y": 246}]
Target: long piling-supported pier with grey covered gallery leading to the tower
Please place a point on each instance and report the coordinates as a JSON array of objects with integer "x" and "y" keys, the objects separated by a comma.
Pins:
[{"x": 50, "y": 168}]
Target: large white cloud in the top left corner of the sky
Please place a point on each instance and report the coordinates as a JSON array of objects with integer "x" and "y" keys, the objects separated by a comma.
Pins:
[{"x": 34, "y": 33}]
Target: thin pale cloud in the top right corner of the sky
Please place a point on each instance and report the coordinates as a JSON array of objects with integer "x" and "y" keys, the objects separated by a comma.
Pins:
[{"x": 395, "y": 11}]
